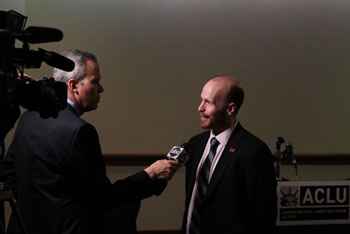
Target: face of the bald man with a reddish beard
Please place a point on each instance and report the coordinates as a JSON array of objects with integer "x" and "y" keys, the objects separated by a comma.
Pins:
[{"x": 212, "y": 108}]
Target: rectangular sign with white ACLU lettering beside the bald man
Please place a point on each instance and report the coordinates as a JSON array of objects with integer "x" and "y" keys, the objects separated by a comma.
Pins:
[{"x": 313, "y": 202}]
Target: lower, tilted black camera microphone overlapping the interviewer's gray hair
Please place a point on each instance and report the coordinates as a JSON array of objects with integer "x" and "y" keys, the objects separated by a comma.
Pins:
[{"x": 56, "y": 60}]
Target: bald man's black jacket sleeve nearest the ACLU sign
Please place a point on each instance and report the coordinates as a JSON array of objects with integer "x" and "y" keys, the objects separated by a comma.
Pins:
[{"x": 261, "y": 190}]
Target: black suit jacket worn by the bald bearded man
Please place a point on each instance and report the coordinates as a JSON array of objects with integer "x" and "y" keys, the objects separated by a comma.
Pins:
[{"x": 241, "y": 196}]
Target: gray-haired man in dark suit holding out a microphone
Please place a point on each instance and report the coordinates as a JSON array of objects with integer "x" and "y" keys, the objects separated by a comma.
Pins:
[{"x": 60, "y": 175}]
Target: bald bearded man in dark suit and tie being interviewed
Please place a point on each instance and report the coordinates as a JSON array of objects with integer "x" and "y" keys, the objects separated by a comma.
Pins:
[{"x": 230, "y": 178}]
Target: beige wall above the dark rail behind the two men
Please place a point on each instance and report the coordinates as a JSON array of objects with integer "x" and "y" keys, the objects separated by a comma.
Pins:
[{"x": 292, "y": 57}]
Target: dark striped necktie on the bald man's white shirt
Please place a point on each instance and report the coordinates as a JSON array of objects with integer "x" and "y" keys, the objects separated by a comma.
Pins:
[{"x": 202, "y": 187}]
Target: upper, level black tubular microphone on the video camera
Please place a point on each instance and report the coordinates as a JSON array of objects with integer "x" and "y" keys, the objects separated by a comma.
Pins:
[{"x": 40, "y": 35}]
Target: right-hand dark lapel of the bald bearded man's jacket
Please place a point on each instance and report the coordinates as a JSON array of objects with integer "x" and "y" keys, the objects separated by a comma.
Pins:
[{"x": 225, "y": 159}]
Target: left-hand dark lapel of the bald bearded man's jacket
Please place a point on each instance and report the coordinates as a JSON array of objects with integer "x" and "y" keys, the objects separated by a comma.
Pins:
[{"x": 197, "y": 155}]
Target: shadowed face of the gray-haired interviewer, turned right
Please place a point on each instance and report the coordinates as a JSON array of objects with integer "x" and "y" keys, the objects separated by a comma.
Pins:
[{"x": 89, "y": 88}]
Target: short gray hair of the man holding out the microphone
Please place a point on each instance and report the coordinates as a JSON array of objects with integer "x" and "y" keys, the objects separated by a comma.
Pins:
[{"x": 79, "y": 58}]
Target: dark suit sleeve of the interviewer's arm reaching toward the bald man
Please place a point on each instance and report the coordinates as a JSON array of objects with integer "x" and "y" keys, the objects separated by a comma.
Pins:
[{"x": 86, "y": 171}]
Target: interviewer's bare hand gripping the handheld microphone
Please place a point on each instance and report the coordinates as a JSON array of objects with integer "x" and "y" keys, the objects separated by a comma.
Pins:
[{"x": 162, "y": 169}]
